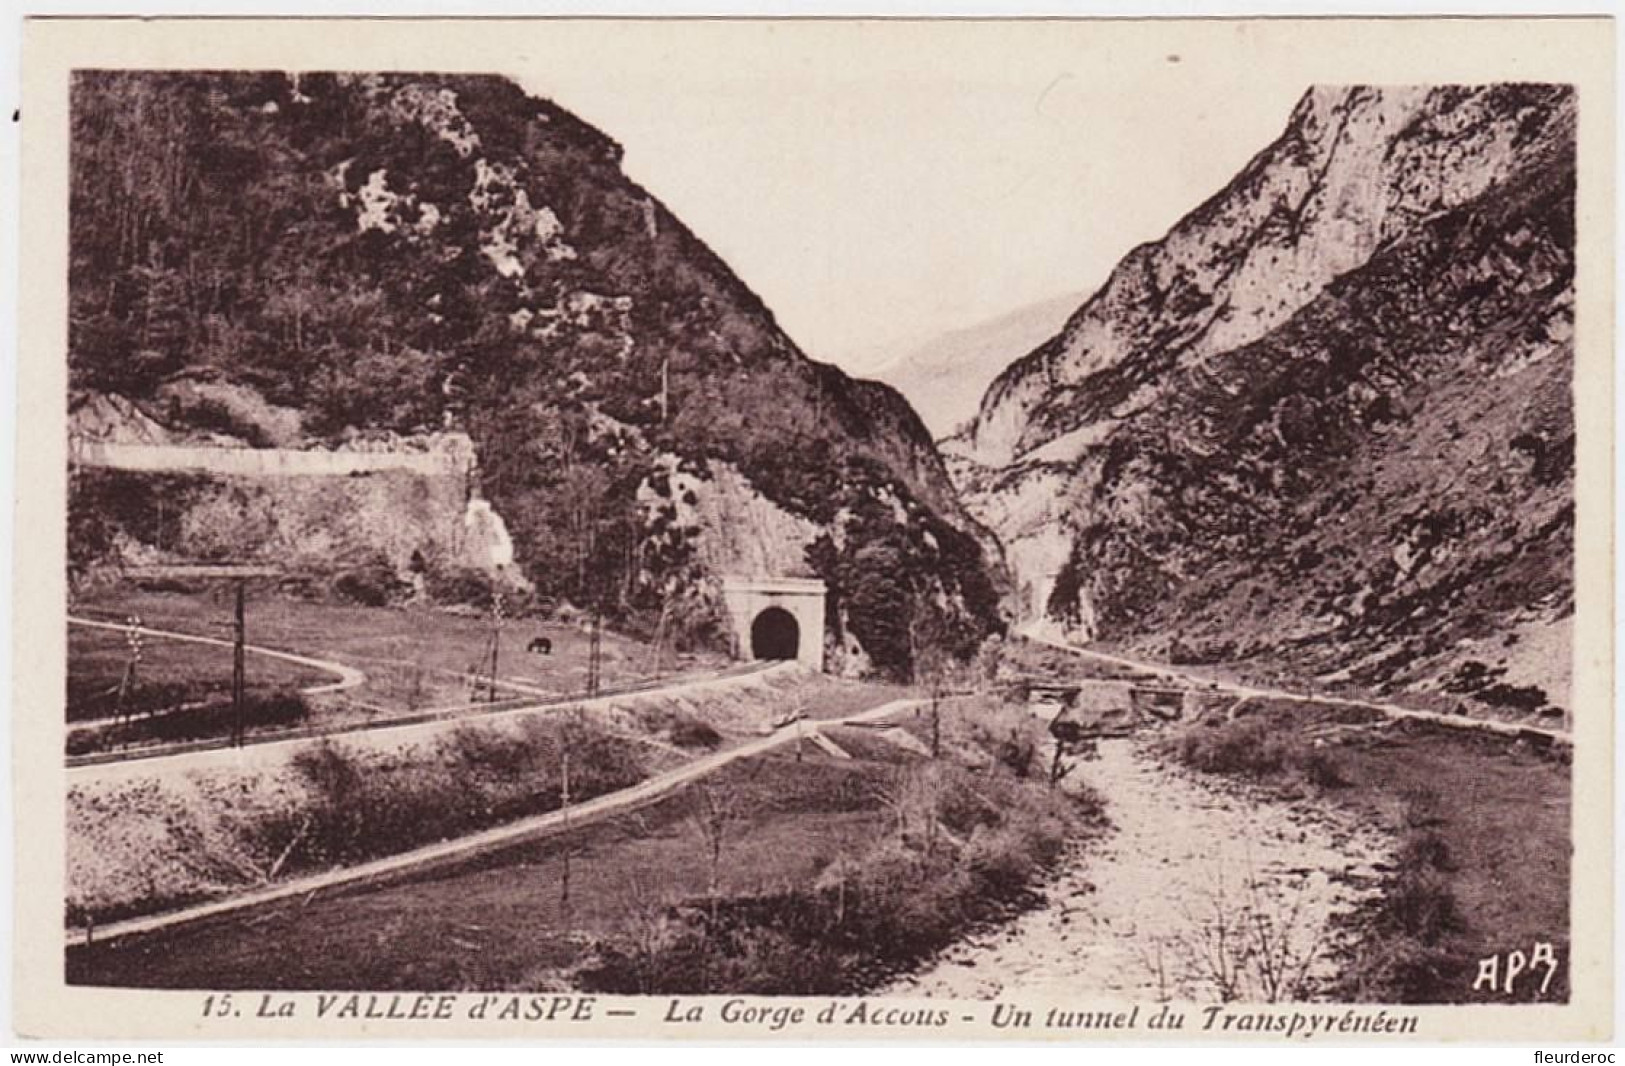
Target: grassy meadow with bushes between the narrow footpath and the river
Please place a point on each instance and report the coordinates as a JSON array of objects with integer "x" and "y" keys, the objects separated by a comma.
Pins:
[{"x": 786, "y": 870}]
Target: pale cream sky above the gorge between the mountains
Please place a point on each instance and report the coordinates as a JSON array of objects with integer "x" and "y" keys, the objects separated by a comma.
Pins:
[{"x": 878, "y": 196}]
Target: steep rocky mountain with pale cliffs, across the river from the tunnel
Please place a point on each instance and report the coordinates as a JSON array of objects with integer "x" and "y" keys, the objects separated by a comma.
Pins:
[{"x": 1327, "y": 422}]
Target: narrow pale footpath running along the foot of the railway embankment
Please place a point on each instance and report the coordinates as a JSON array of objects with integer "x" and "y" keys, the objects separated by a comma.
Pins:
[{"x": 505, "y": 836}]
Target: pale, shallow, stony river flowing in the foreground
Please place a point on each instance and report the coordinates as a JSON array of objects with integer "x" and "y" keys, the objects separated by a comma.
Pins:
[{"x": 1155, "y": 911}]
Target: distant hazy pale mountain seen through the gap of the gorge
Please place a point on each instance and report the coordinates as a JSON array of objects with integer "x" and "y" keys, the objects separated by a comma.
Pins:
[{"x": 947, "y": 376}]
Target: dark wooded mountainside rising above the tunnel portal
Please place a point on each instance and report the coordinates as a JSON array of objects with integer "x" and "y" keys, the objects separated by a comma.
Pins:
[{"x": 306, "y": 261}]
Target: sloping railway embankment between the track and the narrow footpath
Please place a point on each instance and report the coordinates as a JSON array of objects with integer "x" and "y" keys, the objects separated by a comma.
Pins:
[{"x": 154, "y": 834}]
